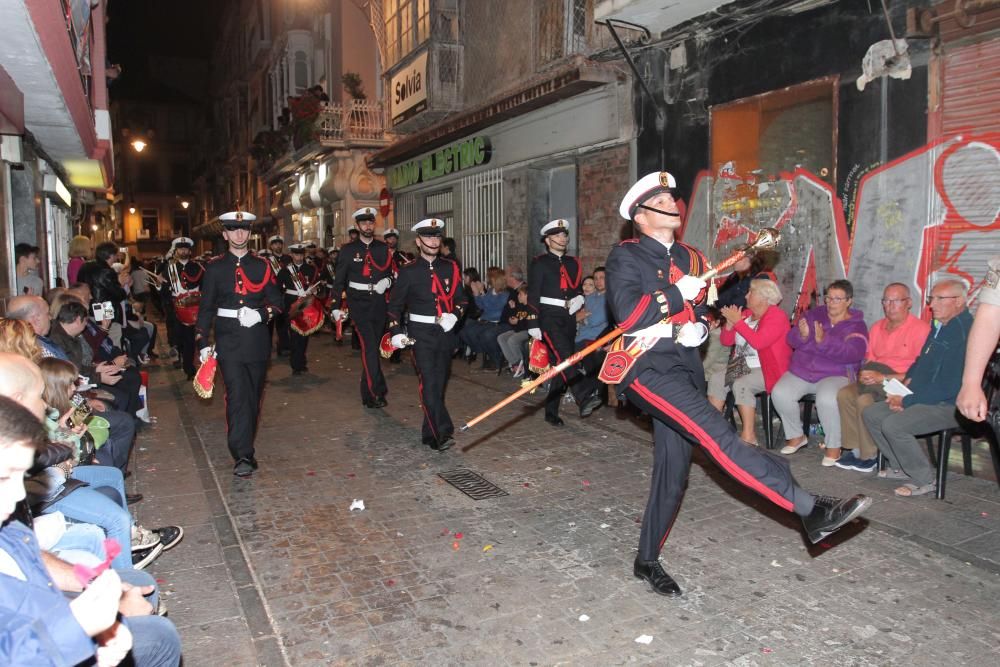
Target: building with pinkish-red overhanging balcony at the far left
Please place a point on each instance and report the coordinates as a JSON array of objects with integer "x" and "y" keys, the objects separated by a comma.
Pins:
[{"x": 55, "y": 130}]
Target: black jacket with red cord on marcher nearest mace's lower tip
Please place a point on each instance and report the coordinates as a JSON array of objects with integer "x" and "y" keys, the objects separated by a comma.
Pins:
[{"x": 418, "y": 292}]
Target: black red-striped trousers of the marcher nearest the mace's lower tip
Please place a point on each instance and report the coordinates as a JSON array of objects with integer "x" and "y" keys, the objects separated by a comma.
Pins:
[{"x": 432, "y": 359}]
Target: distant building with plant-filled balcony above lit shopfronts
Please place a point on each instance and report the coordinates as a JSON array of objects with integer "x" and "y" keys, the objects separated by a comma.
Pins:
[{"x": 296, "y": 111}]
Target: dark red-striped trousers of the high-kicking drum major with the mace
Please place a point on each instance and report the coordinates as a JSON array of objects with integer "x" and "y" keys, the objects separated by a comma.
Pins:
[{"x": 682, "y": 416}]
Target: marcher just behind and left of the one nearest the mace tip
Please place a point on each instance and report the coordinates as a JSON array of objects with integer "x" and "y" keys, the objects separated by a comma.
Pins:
[{"x": 364, "y": 269}]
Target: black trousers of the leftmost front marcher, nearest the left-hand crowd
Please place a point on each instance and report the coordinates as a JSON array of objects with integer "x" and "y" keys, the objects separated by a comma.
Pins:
[{"x": 244, "y": 391}]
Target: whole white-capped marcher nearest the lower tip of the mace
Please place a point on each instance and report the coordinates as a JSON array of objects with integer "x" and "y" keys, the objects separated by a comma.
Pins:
[{"x": 430, "y": 289}]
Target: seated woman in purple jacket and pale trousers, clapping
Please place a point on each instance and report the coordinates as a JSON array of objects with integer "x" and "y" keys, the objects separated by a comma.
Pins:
[{"x": 828, "y": 344}]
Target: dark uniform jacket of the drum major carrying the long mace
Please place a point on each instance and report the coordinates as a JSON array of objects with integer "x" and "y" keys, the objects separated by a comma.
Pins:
[{"x": 641, "y": 273}]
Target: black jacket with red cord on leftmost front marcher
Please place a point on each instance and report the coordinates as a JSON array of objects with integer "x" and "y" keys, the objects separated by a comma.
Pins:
[{"x": 234, "y": 282}]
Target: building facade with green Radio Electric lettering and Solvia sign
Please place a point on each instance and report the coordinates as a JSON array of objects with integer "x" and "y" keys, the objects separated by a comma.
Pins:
[{"x": 505, "y": 117}]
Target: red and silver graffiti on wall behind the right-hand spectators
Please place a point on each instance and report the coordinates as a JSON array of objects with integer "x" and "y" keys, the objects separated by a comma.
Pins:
[{"x": 929, "y": 215}]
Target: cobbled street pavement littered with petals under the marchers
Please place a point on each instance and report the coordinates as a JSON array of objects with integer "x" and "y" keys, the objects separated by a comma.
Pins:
[{"x": 542, "y": 575}]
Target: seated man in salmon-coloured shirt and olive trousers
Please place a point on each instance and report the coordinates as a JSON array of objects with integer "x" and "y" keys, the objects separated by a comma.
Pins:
[{"x": 893, "y": 344}]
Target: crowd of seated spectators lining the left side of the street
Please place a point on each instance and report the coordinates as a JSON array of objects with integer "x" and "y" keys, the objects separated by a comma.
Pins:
[{"x": 72, "y": 397}]
